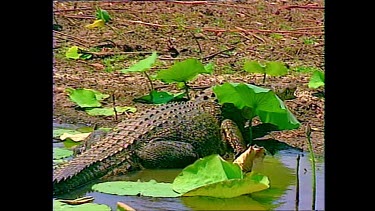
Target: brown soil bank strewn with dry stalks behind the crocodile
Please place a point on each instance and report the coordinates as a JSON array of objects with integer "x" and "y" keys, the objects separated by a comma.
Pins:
[{"x": 294, "y": 36}]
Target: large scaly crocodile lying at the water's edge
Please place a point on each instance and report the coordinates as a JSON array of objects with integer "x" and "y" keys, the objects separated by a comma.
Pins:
[{"x": 173, "y": 135}]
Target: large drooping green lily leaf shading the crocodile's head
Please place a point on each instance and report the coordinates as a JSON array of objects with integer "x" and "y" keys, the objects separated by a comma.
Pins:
[{"x": 257, "y": 101}]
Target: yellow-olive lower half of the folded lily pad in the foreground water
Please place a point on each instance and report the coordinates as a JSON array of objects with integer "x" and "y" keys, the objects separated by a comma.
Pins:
[{"x": 232, "y": 188}]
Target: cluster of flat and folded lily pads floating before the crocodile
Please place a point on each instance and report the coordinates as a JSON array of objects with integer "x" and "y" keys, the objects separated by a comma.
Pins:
[{"x": 195, "y": 180}]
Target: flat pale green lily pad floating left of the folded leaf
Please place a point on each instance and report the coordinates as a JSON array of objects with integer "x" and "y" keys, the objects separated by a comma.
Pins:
[{"x": 150, "y": 188}]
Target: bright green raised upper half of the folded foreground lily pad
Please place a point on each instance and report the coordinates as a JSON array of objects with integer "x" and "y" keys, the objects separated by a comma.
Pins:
[{"x": 205, "y": 171}]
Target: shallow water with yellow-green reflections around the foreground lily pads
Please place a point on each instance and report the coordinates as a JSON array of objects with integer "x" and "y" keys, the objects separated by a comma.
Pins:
[{"x": 280, "y": 169}]
